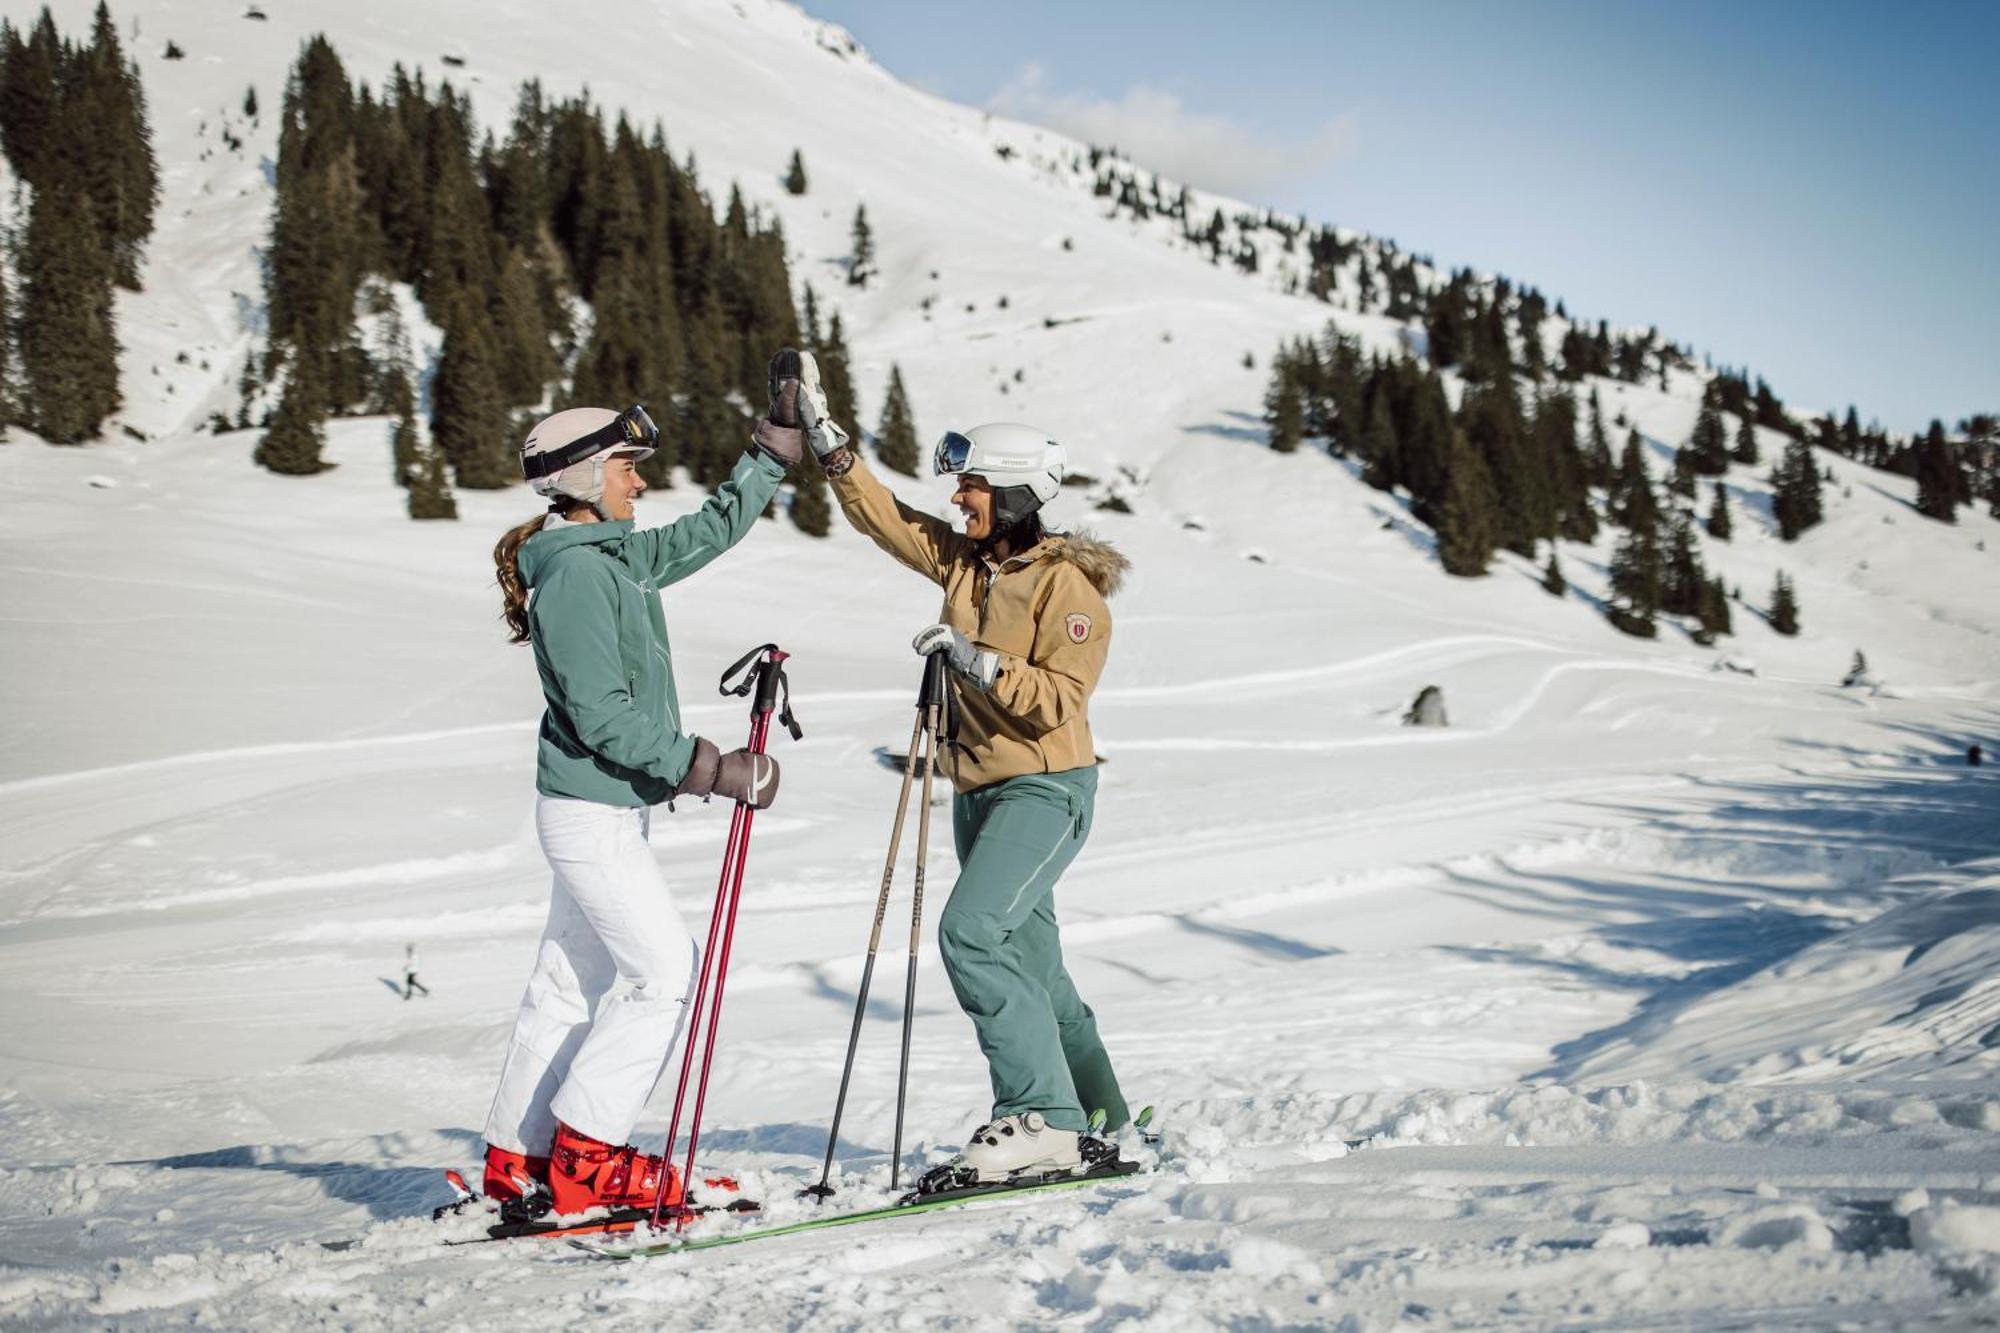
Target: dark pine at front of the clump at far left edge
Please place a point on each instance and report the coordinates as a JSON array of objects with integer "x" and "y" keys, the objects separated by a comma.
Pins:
[{"x": 67, "y": 329}]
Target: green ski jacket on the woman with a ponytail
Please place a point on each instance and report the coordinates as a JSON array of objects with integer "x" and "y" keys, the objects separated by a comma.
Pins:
[{"x": 613, "y": 726}]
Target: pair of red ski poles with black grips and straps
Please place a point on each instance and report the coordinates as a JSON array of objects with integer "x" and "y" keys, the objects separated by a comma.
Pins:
[{"x": 765, "y": 676}]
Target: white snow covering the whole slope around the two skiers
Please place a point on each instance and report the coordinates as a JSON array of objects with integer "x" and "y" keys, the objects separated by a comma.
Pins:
[{"x": 1663, "y": 986}]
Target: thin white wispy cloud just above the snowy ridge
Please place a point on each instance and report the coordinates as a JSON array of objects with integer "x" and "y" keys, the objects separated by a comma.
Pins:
[{"x": 1155, "y": 129}]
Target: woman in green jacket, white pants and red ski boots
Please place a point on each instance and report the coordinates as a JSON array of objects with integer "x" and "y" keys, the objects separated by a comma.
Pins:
[{"x": 613, "y": 978}]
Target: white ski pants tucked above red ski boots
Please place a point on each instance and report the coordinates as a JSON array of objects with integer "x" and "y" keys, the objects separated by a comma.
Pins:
[{"x": 611, "y": 984}]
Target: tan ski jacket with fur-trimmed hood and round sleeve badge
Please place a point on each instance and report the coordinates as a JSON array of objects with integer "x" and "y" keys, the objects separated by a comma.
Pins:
[{"x": 1041, "y": 609}]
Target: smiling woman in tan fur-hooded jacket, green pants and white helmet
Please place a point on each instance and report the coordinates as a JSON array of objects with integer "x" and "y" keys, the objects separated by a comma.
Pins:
[{"x": 1025, "y": 631}]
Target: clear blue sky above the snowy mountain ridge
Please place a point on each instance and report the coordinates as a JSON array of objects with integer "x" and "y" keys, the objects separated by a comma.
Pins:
[{"x": 1809, "y": 191}]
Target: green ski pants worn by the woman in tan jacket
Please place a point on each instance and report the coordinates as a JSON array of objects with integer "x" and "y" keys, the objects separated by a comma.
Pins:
[{"x": 1005, "y": 958}]
